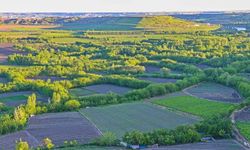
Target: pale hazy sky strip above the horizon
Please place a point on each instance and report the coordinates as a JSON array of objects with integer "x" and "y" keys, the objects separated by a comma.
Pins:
[{"x": 121, "y": 5}]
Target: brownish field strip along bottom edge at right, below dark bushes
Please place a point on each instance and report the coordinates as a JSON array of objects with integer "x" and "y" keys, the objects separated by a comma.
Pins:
[{"x": 217, "y": 145}]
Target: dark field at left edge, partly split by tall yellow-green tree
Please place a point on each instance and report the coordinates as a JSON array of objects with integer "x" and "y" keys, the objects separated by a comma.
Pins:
[{"x": 17, "y": 98}]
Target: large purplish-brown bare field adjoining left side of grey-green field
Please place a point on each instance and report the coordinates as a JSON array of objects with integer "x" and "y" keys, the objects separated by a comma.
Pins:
[{"x": 62, "y": 127}]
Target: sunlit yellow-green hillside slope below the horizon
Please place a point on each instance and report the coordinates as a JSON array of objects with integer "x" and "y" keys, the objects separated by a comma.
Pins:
[{"x": 171, "y": 24}]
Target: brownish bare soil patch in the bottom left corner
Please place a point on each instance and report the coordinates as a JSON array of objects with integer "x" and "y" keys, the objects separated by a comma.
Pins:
[{"x": 8, "y": 142}]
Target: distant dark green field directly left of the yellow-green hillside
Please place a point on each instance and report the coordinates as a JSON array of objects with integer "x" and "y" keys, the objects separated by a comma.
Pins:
[{"x": 106, "y": 23}]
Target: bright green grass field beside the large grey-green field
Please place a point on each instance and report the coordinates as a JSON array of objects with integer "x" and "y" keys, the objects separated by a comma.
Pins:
[{"x": 196, "y": 106}]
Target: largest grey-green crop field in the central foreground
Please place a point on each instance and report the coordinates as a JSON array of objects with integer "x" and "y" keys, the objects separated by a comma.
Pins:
[{"x": 134, "y": 116}]
